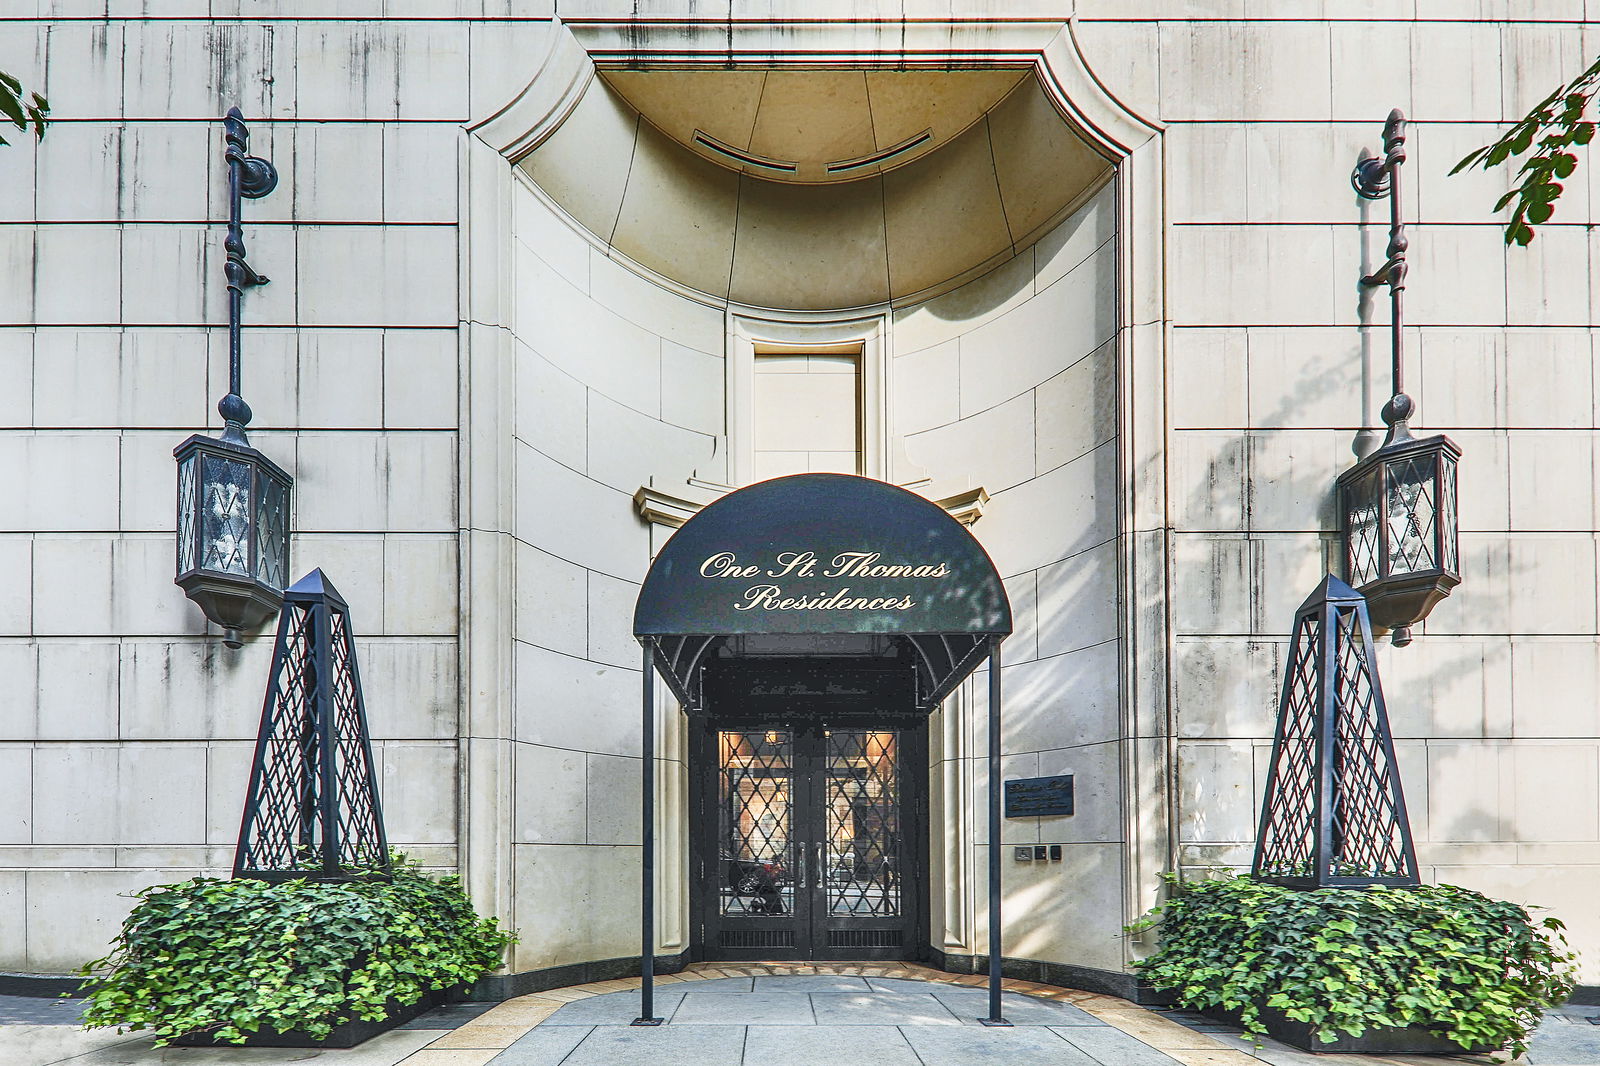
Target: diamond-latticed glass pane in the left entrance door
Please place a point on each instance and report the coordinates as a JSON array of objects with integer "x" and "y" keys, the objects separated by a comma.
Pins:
[{"x": 756, "y": 830}]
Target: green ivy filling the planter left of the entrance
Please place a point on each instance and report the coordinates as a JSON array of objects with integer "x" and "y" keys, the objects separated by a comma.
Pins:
[{"x": 228, "y": 958}]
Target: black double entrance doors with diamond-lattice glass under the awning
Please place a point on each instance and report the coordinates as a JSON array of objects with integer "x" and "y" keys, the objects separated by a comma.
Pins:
[{"x": 810, "y": 838}]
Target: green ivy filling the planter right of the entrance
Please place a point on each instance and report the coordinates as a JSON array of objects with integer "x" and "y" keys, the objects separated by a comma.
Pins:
[{"x": 1457, "y": 963}]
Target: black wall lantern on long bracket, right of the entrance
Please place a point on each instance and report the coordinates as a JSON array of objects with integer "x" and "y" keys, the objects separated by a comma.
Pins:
[{"x": 1398, "y": 507}]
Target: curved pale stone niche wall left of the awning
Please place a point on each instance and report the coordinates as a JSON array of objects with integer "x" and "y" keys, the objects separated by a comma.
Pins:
[{"x": 618, "y": 382}]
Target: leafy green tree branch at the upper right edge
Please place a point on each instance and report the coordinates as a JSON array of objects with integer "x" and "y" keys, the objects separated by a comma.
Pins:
[{"x": 1550, "y": 132}]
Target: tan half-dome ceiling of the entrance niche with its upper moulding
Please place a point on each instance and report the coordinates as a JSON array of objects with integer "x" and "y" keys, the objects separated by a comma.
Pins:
[{"x": 830, "y": 178}]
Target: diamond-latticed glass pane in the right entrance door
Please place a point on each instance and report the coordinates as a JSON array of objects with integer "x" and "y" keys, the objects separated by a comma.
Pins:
[{"x": 863, "y": 824}]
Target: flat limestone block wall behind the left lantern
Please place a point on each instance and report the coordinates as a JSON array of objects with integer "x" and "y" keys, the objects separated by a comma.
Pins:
[{"x": 126, "y": 727}]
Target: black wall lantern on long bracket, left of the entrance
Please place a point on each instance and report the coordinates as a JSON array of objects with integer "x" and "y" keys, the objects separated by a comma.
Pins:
[{"x": 234, "y": 502}]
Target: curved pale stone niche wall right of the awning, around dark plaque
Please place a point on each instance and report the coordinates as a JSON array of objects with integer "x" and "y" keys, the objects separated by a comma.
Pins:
[{"x": 1010, "y": 383}]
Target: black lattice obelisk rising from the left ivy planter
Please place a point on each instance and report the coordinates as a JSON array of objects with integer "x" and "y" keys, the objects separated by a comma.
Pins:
[{"x": 313, "y": 804}]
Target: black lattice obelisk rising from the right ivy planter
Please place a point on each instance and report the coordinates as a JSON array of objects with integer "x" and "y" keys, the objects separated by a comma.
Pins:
[{"x": 1334, "y": 811}]
